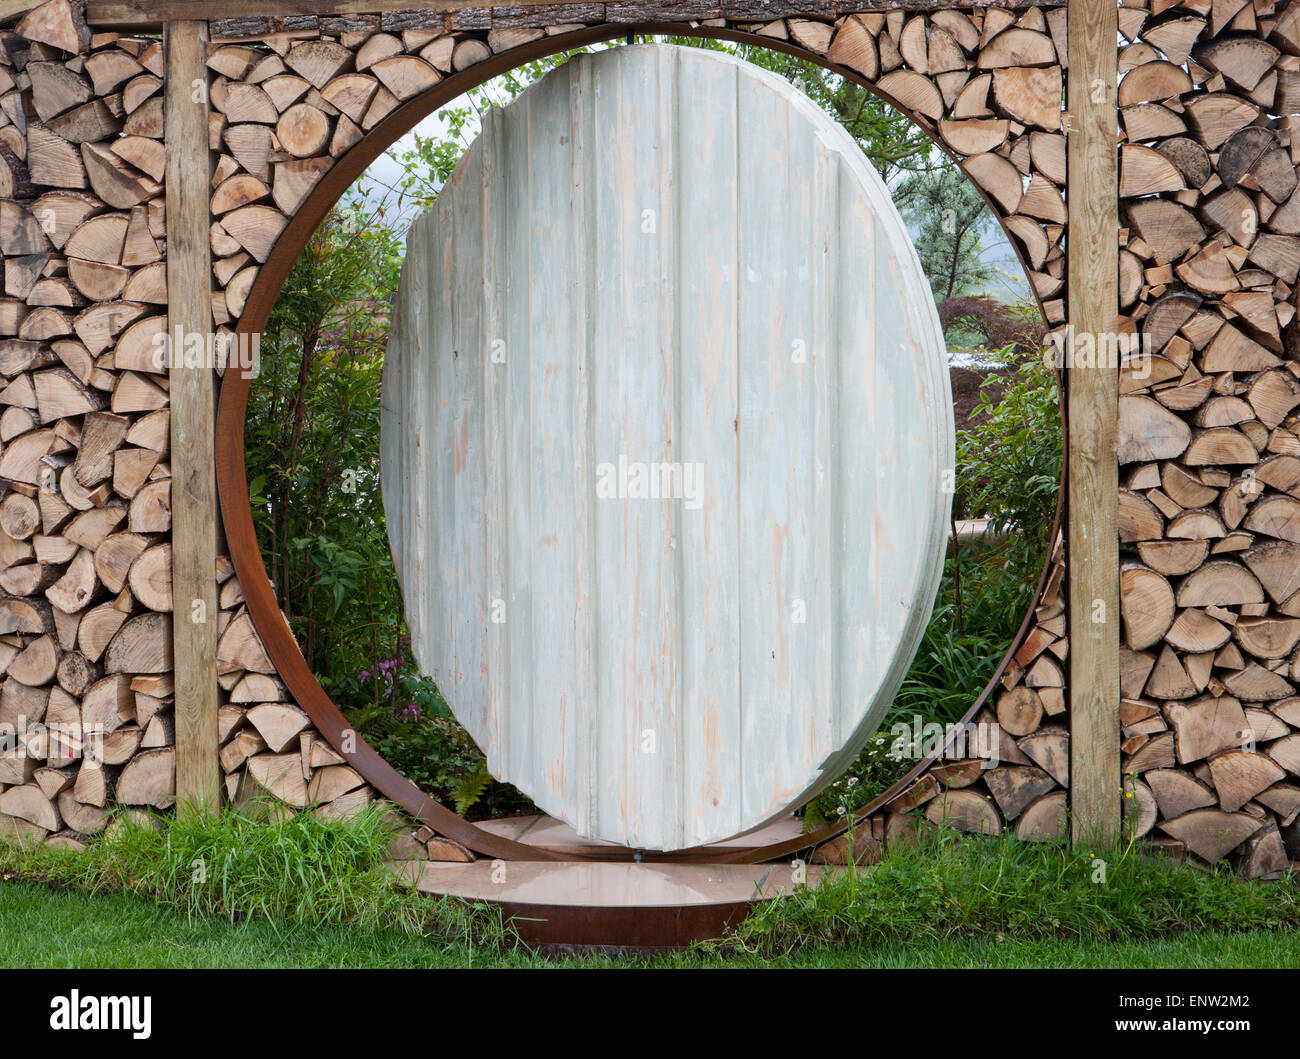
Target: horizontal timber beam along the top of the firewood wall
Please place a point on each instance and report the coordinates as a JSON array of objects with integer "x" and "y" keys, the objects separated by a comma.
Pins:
[{"x": 136, "y": 14}]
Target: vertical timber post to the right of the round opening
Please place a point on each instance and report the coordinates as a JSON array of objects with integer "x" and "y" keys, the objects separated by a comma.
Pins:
[{"x": 1093, "y": 537}]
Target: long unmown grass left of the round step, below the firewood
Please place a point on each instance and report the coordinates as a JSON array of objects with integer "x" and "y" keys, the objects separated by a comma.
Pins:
[{"x": 254, "y": 863}]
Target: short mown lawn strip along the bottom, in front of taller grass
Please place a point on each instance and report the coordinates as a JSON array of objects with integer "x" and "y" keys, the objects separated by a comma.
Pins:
[{"x": 41, "y": 927}]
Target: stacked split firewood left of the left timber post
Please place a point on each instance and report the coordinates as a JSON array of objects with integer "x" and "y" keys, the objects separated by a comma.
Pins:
[{"x": 85, "y": 554}]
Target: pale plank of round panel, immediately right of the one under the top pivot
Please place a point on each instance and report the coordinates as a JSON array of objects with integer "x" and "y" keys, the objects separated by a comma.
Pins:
[{"x": 708, "y": 358}]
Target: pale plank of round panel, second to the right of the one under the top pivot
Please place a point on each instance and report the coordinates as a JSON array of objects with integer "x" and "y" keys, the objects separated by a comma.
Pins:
[{"x": 777, "y": 494}]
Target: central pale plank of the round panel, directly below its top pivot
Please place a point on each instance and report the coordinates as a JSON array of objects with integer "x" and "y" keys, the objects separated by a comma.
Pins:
[{"x": 635, "y": 424}]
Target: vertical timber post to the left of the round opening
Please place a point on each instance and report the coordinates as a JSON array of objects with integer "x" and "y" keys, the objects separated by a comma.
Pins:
[{"x": 194, "y": 502}]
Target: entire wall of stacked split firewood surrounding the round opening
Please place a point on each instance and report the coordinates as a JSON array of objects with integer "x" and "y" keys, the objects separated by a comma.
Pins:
[{"x": 1211, "y": 605}]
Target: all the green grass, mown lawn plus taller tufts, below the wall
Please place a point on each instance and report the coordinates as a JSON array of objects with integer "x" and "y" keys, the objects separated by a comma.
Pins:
[{"x": 245, "y": 891}]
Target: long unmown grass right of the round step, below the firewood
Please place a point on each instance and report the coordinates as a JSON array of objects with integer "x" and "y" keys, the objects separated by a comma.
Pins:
[{"x": 956, "y": 887}]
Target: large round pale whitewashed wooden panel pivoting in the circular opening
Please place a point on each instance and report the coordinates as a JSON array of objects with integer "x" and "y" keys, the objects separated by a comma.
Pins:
[{"x": 666, "y": 437}]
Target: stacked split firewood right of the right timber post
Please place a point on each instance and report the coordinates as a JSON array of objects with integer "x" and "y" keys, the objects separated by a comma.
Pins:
[{"x": 1210, "y": 446}]
